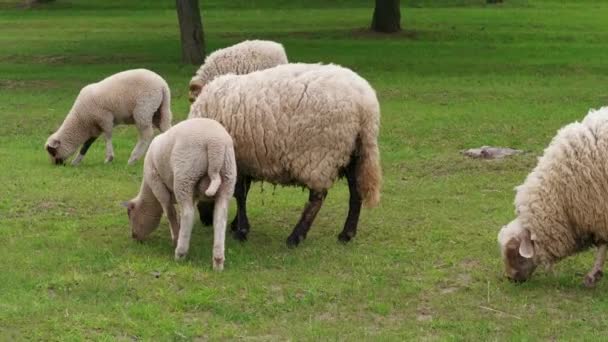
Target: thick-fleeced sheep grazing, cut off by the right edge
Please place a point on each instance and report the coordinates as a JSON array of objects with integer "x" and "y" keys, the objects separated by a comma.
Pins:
[{"x": 561, "y": 206}]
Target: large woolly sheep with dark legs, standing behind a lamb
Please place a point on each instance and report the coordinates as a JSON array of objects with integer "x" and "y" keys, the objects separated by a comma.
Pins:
[{"x": 303, "y": 125}]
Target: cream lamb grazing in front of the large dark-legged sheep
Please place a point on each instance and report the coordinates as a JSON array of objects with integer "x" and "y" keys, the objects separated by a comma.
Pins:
[{"x": 192, "y": 160}]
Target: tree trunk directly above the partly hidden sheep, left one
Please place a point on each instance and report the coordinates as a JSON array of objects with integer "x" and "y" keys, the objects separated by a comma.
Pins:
[{"x": 191, "y": 31}]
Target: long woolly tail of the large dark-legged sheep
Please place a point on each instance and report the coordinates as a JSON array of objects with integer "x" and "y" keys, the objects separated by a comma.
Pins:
[{"x": 369, "y": 173}]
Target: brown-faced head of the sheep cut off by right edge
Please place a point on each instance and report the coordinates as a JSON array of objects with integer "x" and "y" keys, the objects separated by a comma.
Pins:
[{"x": 517, "y": 251}]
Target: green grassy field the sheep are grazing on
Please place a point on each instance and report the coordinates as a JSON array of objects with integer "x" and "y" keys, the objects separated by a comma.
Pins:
[{"x": 425, "y": 264}]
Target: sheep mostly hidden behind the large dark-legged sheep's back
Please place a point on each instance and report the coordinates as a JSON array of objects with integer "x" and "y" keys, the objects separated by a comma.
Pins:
[{"x": 241, "y": 58}]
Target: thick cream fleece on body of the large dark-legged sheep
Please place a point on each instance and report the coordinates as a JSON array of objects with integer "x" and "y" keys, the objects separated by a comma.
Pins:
[{"x": 292, "y": 124}]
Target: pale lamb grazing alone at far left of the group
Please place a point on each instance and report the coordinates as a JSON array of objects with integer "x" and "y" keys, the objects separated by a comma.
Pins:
[{"x": 139, "y": 97}]
